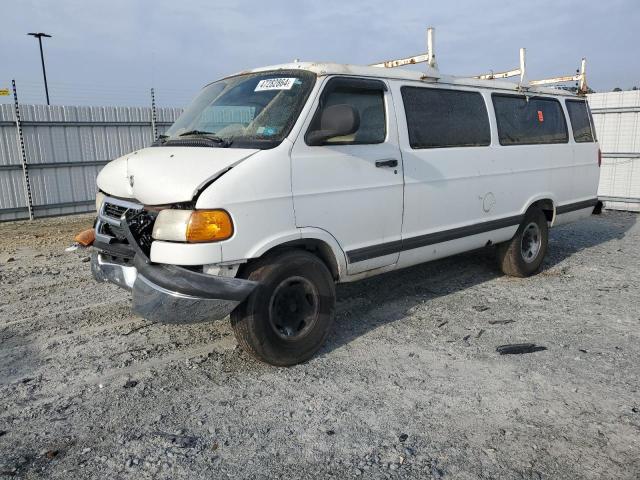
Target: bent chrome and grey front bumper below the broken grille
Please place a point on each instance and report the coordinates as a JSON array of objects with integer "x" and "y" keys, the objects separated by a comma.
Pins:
[{"x": 171, "y": 294}]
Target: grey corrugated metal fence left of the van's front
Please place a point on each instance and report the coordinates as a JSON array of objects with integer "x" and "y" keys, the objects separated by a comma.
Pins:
[{"x": 64, "y": 149}]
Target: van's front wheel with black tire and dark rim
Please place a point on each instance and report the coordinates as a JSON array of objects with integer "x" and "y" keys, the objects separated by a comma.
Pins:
[{"x": 288, "y": 317}]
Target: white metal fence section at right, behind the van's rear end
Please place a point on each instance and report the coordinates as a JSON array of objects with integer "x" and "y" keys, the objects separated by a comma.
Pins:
[{"x": 617, "y": 120}]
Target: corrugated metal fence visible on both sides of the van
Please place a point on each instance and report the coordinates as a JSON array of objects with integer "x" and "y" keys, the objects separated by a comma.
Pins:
[{"x": 65, "y": 147}]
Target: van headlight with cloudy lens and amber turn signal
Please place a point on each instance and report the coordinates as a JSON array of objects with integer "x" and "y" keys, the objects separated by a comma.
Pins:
[{"x": 193, "y": 226}]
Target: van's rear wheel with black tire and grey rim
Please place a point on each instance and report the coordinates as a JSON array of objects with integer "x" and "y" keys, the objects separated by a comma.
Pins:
[{"x": 519, "y": 257}]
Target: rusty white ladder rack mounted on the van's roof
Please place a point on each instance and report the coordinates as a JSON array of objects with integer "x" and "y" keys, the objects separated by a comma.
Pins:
[{"x": 430, "y": 58}]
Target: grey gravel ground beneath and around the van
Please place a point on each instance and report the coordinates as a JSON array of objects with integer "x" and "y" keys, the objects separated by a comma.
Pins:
[{"x": 408, "y": 386}]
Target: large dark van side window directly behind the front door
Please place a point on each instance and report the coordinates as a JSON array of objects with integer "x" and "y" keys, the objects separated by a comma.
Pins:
[{"x": 445, "y": 118}]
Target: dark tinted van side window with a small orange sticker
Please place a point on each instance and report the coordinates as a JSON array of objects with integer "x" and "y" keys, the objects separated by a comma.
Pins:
[{"x": 527, "y": 121}]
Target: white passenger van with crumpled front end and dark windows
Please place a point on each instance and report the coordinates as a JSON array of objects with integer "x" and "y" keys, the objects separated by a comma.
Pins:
[{"x": 276, "y": 183}]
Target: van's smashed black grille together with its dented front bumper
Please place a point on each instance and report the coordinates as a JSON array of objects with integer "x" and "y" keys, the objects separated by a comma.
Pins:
[{"x": 161, "y": 292}]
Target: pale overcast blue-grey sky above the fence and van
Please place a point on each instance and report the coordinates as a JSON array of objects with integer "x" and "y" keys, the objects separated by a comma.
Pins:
[{"x": 112, "y": 52}]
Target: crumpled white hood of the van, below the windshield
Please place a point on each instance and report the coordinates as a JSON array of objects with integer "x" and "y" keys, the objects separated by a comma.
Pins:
[{"x": 160, "y": 175}]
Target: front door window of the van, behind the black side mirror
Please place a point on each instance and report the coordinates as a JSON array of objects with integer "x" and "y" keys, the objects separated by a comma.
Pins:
[{"x": 367, "y": 98}]
